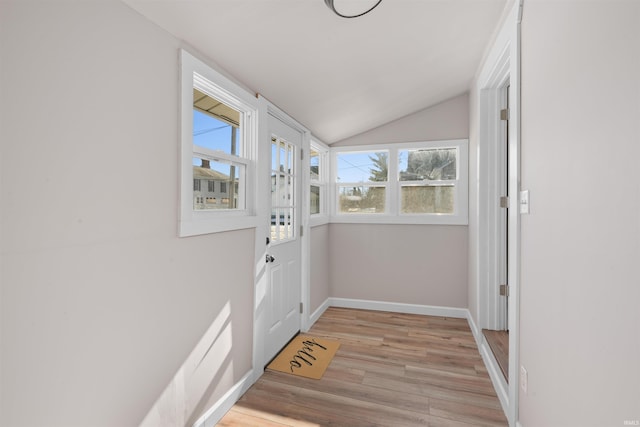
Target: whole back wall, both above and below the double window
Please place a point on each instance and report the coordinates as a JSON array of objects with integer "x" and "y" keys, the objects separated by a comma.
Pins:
[{"x": 413, "y": 264}]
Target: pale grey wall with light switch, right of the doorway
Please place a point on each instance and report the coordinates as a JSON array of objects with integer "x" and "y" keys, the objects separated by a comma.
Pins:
[{"x": 580, "y": 286}]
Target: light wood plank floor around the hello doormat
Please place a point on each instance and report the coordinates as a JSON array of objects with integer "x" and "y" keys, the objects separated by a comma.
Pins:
[{"x": 391, "y": 370}]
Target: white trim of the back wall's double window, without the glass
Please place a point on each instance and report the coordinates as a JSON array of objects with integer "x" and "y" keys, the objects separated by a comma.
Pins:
[{"x": 393, "y": 215}]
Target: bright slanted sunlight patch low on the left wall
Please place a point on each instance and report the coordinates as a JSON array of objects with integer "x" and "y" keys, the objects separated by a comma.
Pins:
[{"x": 188, "y": 394}]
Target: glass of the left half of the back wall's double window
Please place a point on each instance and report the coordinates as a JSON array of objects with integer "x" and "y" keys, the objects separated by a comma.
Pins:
[{"x": 362, "y": 179}]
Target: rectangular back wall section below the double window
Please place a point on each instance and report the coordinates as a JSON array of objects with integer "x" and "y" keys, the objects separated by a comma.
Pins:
[{"x": 411, "y": 264}]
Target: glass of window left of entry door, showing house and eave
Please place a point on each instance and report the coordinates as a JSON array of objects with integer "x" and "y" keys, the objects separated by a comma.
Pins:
[{"x": 216, "y": 148}]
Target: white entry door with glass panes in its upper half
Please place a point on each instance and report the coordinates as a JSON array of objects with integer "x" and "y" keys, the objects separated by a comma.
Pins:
[{"x": 284, "y": 254}]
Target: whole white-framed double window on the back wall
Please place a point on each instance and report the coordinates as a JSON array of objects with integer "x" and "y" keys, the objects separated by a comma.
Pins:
[{"x": 412, "y": 183}]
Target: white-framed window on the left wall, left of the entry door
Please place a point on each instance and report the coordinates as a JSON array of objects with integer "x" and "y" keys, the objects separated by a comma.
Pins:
[{"x": 218, "y": 147}]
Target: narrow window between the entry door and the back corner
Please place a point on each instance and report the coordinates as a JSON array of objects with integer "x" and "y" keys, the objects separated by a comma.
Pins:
[{"x": 318, "y": 179}]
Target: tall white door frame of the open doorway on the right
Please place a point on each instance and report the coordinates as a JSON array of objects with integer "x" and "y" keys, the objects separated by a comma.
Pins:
[{"x": 502, "y": 65}]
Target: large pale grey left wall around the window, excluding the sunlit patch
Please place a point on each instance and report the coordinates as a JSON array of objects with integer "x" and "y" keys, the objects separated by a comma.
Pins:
[{"x": 100, "y": 301}]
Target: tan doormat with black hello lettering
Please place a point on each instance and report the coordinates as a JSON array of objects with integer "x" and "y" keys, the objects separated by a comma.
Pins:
[{"x": 305, "y": 356}]
